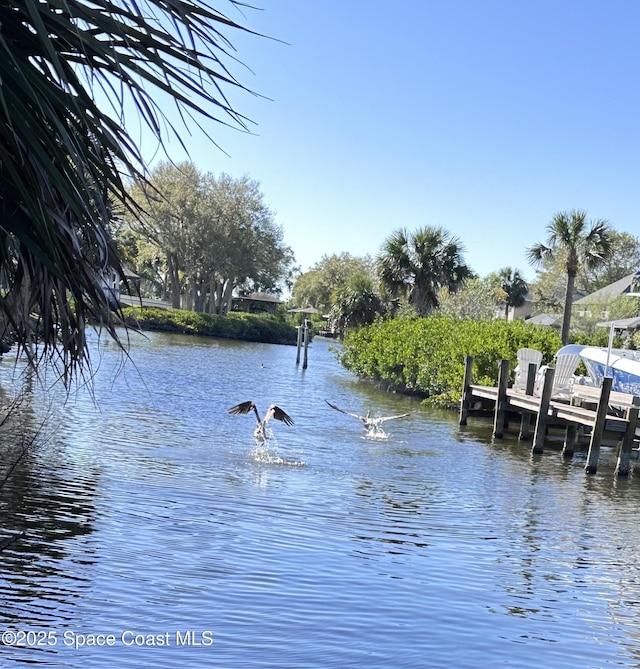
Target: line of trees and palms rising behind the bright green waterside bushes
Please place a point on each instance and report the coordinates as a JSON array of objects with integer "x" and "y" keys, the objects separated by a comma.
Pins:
[{"x": 424, "y": 272}]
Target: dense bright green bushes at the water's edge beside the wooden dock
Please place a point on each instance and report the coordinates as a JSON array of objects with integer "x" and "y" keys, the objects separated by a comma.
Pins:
[{"x": 426, "y": 355}]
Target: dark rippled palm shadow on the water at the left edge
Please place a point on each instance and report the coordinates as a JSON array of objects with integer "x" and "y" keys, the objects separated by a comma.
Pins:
[{"x": 42, "y": 509}]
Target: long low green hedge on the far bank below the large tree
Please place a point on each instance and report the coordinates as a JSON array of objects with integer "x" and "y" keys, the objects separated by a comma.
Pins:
[{"x": 249, "y": 327}]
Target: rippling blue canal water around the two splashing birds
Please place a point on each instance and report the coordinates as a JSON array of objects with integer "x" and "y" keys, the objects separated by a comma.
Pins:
[{"x": 153, "y": 528}]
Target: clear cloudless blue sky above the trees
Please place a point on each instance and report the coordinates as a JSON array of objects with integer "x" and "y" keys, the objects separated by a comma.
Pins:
[{"x": 484, "y": 117}]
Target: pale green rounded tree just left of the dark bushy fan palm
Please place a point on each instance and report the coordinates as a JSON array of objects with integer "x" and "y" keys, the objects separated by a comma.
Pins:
[{"x": 317, "y": 287}]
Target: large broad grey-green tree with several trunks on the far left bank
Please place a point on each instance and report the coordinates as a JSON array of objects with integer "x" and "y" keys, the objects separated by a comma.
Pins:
[{"x": 216, "y": 234}]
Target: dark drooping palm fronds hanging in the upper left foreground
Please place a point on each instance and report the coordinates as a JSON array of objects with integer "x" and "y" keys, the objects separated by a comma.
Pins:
[{"x": 65, "y": 156}]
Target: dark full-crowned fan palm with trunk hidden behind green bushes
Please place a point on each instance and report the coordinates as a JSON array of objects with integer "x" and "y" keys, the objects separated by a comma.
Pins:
[{"x": 415, "y": 266}]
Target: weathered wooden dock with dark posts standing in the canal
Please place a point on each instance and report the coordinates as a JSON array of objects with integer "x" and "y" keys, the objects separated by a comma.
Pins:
[{"x": 597, "y": 416}]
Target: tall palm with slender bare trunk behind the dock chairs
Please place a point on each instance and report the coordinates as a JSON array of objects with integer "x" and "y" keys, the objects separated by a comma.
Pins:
[{"x": 580, "y": 244}]
